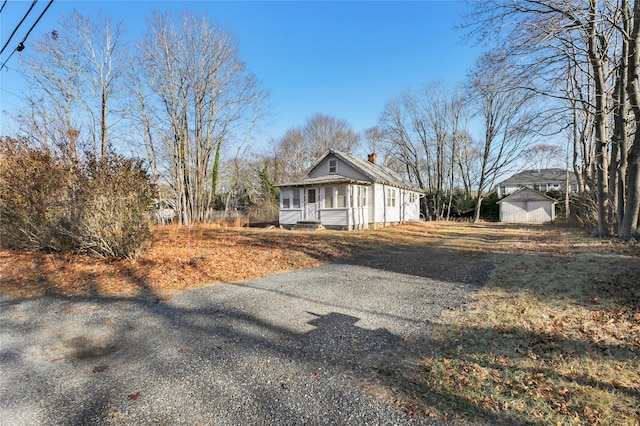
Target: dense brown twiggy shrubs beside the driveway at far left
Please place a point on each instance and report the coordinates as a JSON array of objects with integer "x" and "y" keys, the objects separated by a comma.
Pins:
[{"x": 100, "y": 207}]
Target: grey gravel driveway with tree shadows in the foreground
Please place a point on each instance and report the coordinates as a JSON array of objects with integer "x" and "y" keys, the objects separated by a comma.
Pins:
[{"x": 308, "y": 347}]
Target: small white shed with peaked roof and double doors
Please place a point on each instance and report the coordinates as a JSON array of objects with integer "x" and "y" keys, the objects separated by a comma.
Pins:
[{"x": 527, "y": 205}]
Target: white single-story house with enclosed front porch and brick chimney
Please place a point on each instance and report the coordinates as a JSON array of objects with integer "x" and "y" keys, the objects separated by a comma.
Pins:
[{"x": 341, "y": 191}]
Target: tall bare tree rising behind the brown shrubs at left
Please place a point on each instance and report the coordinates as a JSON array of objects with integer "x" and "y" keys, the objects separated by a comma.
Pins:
[{"x": 75, "y": 75}]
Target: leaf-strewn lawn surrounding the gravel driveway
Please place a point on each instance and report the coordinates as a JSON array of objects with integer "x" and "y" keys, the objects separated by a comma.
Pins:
[{"x": 554, "y": 338}]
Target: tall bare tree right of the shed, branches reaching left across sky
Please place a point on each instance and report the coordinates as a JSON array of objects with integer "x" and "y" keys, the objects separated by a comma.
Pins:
[{"x": 556, "y": 40}]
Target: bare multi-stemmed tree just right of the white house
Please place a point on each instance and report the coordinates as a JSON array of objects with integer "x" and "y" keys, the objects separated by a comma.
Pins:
[{"x": 426, "y": 131}]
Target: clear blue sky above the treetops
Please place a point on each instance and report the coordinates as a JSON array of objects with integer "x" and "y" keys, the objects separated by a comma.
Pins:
[{"x": 343, "y": 59}]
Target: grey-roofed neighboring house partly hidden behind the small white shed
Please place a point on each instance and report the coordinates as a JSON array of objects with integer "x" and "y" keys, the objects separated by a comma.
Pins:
[{"x": 541, "y": 180}]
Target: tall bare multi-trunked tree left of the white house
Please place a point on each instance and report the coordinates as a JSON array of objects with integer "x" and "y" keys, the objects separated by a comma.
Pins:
[{"x": 208, "y": 97}]
